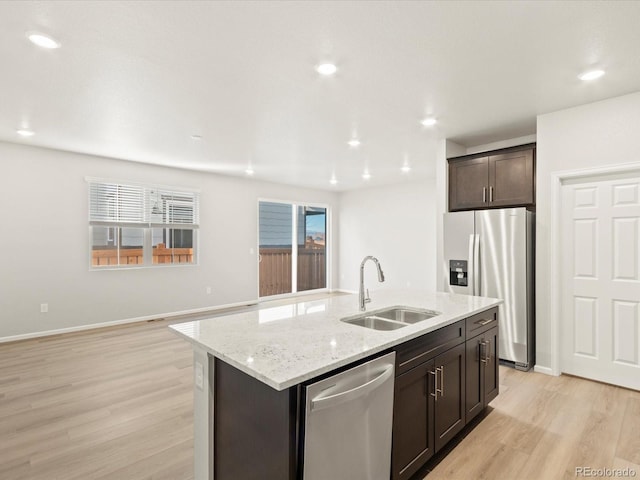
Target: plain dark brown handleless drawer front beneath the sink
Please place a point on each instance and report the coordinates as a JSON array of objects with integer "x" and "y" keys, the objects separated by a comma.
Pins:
[{"x": 414, "y": 352}]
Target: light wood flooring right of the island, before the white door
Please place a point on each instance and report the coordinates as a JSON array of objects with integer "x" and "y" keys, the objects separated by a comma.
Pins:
[{"x": 542, "y": 428}]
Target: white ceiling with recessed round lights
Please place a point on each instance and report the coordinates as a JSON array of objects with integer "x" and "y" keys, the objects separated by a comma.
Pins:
[{"x": 134, "y": 80}]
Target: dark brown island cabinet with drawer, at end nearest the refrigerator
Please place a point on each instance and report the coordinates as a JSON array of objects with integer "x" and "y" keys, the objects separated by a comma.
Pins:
[{"x": 481, "y": 362}]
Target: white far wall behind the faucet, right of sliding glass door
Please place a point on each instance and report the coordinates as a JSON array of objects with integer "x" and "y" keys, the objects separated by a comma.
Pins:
[{"x": 394, "y": 223}]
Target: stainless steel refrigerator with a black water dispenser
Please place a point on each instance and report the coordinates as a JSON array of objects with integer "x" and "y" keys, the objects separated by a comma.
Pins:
[{"x": 490, "y": 253}]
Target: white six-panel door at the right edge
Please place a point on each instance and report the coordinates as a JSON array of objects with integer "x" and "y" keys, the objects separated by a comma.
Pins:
[{"x": 600, "y": 321}]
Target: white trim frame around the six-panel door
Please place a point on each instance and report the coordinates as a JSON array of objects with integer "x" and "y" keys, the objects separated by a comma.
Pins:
[{"x": 558, "y": 180}]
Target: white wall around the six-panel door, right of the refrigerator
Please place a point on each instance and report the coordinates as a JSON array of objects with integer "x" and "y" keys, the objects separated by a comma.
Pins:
[{"x": 593, "y": 135}]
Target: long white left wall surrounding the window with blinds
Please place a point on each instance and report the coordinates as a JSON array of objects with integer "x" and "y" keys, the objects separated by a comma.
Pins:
[{"x": 45, "y": 243}]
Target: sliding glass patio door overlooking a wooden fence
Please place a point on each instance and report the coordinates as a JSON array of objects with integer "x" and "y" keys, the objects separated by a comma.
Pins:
[{"x": 292, "y": 248}]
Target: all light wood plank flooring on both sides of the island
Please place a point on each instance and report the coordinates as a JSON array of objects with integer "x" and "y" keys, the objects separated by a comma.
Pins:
[{"x": 117, "y": 403}]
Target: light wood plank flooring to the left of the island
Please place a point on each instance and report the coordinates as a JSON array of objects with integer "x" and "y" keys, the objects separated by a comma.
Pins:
[{"x": 112, "y": 403}]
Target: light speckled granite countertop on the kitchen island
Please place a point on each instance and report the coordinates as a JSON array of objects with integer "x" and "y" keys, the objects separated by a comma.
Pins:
[{"x": 285, "y": 345}]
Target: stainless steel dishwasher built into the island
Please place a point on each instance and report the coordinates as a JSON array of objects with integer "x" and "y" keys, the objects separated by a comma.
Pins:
[{"x": 348, "y": 419}]
